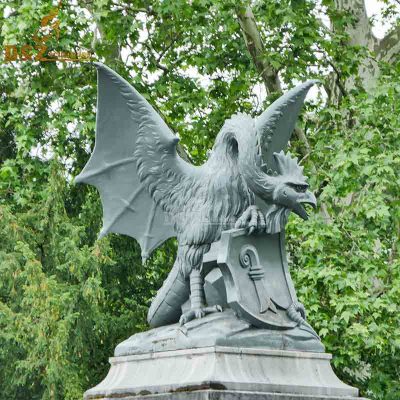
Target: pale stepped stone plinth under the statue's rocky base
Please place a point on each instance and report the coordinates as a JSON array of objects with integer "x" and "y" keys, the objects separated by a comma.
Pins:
[{"x": 222, "y": 373}]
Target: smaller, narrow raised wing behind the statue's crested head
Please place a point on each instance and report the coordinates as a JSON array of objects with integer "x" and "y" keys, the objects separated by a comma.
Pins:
[{"x": 276, "y": 124}]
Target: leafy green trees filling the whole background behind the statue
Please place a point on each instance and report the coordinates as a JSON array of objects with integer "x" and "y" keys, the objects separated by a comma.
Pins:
[{"x": 66, "y": 299}]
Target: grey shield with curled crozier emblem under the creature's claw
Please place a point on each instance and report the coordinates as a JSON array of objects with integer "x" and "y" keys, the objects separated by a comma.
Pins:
[{"x": 257, "y": 280}]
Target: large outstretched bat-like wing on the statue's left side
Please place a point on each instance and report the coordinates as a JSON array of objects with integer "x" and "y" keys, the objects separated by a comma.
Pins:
[{"x": 126, "y": 173}]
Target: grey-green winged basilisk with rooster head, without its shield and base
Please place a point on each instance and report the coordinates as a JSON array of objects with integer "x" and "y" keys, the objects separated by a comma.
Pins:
[{"x": 150, "y": 193}]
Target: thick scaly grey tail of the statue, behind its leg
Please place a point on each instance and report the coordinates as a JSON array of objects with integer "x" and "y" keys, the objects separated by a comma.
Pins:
[{"x": 166, "y": 309}]
